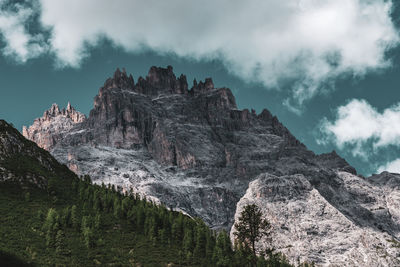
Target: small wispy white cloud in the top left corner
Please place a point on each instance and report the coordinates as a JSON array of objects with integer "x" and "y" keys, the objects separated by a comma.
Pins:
[{"x": 19, "y": 43}]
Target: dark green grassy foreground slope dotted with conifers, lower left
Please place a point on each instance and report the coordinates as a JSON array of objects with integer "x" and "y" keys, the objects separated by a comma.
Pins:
[{"x": 51, "y": 217}]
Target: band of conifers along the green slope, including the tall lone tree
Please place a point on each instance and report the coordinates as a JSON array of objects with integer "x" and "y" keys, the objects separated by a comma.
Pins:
[{"x": 196, "y": 243}]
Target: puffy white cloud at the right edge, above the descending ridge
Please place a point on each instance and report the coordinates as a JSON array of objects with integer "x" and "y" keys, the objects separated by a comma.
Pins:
[{"x": 362, "y": 128}]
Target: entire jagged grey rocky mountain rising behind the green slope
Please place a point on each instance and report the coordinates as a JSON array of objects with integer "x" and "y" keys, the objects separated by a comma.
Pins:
[{"x": 193, "y": 150}]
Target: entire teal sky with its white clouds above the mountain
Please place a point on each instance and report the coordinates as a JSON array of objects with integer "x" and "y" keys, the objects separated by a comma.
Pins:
[{"x": 328, "y": 69}]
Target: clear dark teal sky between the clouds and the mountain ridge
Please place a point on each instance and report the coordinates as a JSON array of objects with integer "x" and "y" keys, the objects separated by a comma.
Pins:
[{"x": 27, "y": 89}]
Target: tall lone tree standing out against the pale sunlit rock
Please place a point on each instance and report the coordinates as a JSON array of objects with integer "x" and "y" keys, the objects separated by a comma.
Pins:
[{"x": 251, "y": 227}]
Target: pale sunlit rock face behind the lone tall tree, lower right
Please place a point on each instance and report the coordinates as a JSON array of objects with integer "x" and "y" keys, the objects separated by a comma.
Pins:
[{"x": 337, "y": 231}]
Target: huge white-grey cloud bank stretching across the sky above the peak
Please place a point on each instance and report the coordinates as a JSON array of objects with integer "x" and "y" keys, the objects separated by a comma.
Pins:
[{"x": 303, "y": 45}]
